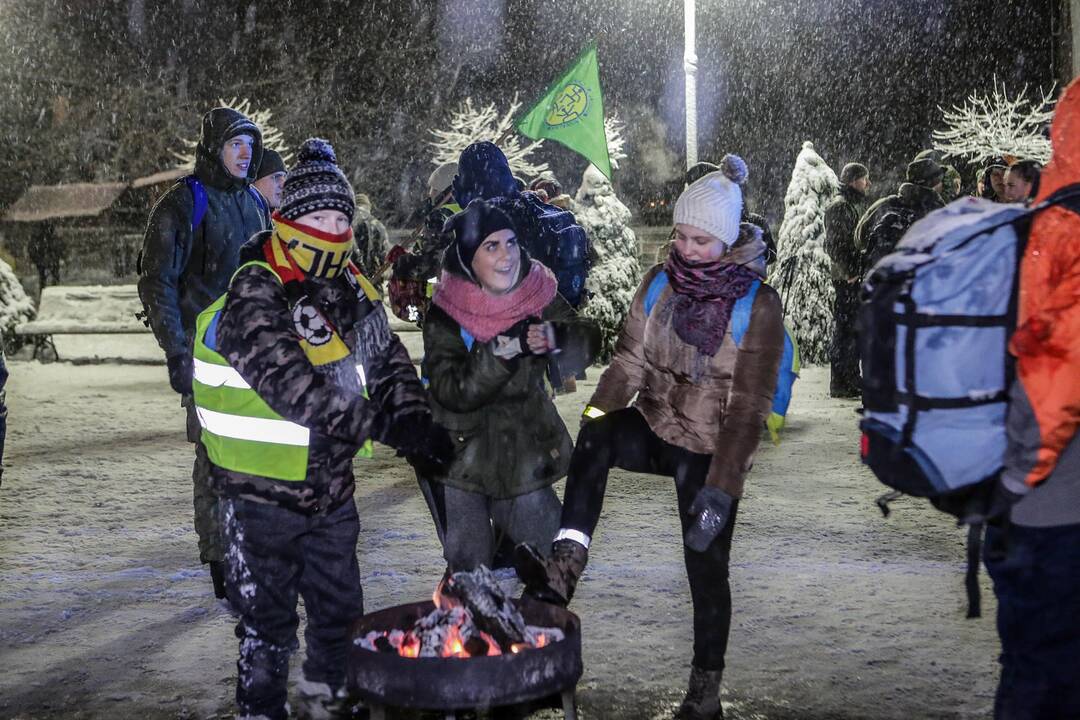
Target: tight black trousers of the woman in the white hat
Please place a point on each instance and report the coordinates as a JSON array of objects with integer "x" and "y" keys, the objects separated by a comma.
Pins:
[{"x": 625, "y": 440}]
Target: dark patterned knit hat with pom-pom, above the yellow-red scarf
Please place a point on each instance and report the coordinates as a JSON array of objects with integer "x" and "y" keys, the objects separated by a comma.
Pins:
[{"x": 316, "y": 183}]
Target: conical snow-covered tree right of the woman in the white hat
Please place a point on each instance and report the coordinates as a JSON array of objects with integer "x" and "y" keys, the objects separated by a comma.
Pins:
[{"x": 803, "y": 268}]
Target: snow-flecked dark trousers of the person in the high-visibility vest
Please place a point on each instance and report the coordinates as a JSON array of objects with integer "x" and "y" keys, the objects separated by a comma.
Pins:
[{"x": 272, "y": 556}]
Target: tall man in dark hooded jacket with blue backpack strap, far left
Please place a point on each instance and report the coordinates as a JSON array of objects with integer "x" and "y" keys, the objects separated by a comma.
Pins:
[{"x": 187, "y": 263}]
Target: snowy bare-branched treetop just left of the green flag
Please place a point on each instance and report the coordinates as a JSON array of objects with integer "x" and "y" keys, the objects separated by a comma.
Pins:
[{"x": 471, "y": 125}]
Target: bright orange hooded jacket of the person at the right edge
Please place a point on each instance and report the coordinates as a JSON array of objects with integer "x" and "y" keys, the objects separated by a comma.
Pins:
[{"x": 1047, "y": 343}]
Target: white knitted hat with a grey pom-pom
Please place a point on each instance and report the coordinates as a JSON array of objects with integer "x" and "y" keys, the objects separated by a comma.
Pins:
[{"x": 713, "y": 203}]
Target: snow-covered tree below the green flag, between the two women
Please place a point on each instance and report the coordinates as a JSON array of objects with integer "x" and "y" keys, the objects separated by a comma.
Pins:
[{"x": 614, "y": 279}]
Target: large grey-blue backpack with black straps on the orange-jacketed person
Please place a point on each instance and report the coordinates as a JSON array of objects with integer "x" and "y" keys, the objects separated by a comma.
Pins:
[{"x": 934, "y": 333}]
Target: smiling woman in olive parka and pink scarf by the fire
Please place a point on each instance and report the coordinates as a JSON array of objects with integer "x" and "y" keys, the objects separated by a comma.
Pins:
[{"x": 497, "y": 329}]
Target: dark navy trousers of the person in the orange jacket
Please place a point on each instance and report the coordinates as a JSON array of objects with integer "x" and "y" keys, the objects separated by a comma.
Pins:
[{"x": 1036, "y": 575}]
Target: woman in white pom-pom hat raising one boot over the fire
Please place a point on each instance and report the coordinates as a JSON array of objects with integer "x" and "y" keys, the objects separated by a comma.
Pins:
[{"x": 700, "y": 350}]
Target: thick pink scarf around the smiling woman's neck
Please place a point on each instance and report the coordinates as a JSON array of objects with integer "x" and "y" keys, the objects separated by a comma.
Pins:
[{"x": 485, "y": 316}]
